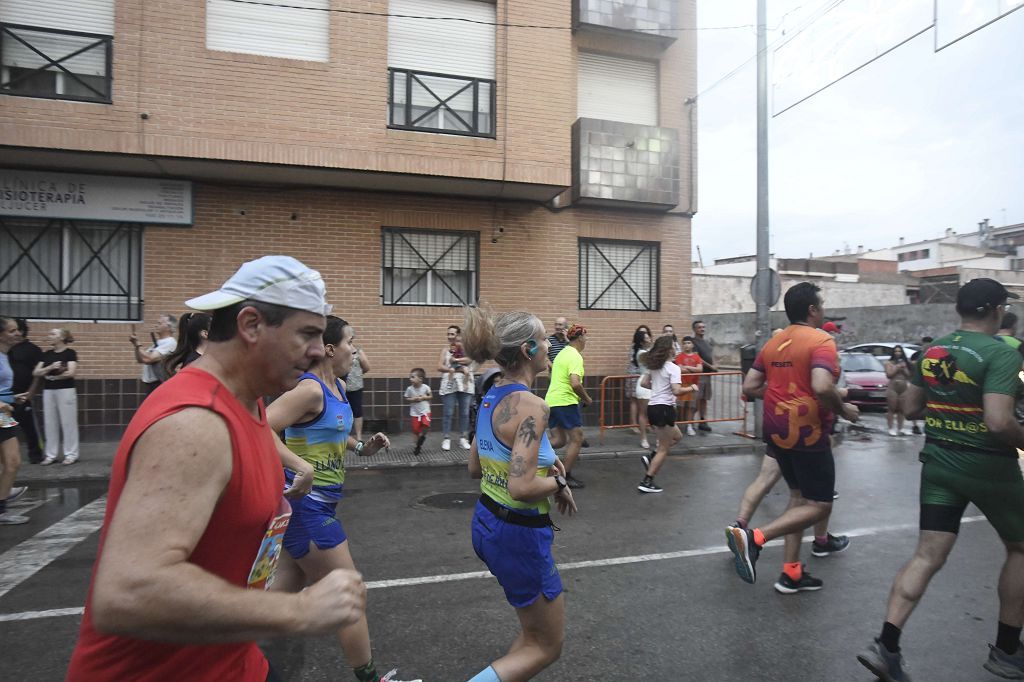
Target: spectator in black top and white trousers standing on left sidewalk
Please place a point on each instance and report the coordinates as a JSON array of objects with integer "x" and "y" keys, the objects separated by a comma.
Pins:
[{"x": 58, "y": 369}]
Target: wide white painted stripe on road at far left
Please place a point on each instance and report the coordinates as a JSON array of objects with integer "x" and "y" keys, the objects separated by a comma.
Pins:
[{"x": 26, "y": 560}]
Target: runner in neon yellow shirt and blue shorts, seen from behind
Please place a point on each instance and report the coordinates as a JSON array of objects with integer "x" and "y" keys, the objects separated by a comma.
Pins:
[{"x": 566, "y": 394}]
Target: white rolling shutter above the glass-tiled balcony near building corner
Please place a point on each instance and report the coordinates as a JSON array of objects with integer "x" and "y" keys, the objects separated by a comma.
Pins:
[{"x": 618, "y": 90}]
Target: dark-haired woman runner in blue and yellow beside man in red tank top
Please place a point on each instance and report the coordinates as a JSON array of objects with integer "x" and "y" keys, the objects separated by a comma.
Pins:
[{"x": 317, "y": 419}]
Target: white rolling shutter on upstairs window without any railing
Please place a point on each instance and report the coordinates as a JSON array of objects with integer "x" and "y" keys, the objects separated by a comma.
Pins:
[{"x": 301, "y": 31}]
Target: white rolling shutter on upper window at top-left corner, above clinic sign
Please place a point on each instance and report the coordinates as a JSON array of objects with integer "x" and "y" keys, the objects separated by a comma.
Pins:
[{"x": 86, "y": 16}]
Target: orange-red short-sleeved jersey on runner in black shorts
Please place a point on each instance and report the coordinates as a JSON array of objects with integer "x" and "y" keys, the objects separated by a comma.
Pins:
[{"x": 794, "y": 419}]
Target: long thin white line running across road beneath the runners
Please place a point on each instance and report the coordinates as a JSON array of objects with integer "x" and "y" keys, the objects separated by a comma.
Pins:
[{"x": 450, "y": 578}]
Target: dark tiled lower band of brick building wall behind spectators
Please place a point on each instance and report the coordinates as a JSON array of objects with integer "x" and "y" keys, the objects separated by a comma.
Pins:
[{"x": 106, "y": 406}]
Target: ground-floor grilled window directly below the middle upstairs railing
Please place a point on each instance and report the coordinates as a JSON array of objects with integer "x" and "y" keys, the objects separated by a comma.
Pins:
[{"x": 430, "y": 268}]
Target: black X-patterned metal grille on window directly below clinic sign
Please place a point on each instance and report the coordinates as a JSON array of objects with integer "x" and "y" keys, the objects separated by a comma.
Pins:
[{"x": 132, "y": 300}]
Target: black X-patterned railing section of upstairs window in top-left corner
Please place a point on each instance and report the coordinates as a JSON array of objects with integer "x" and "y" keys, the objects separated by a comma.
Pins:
[{"x": 54, "y": 64}]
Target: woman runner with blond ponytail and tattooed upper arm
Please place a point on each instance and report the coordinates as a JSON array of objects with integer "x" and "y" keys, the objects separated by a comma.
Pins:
[{"x": 520, "y": 472}]
